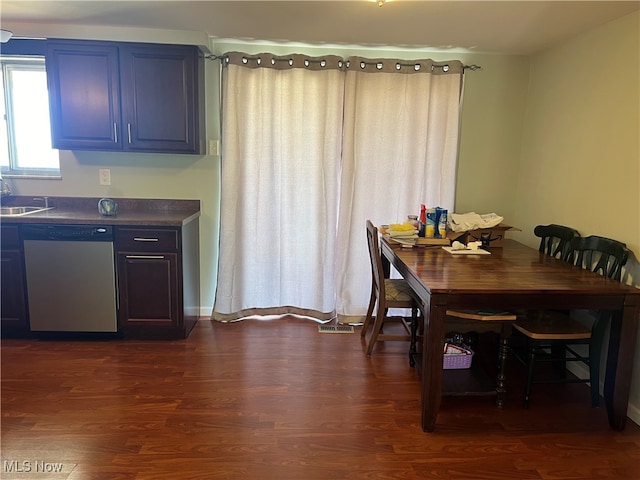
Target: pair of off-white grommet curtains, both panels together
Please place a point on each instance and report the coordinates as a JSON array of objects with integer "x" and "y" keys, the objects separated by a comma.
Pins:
[{"x": 310, "y": 150}]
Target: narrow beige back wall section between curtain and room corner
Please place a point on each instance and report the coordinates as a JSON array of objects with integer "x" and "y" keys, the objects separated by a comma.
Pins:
[{"x": 491, "y": 136}]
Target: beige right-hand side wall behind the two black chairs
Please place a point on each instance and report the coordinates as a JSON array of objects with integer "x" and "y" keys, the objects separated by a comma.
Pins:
[{"x": 580, "y": 161}]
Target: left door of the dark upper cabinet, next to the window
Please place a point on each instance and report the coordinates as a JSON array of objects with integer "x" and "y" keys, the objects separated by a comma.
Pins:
[{"x": 84, "y": 95}]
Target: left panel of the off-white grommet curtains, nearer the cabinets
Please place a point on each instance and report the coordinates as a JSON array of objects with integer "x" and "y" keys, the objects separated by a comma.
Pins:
[{"x": 281, "y": 144}]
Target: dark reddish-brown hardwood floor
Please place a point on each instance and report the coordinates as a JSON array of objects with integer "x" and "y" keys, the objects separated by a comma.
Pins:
[{"x": 277, "y": 400}]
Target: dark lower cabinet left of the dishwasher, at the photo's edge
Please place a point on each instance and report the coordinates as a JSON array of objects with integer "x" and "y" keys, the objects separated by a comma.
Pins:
[{"x": 14, "y": 319}]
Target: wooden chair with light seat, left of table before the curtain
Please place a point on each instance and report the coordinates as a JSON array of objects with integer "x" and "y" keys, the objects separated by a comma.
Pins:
[{"x": 387, "y": 293}]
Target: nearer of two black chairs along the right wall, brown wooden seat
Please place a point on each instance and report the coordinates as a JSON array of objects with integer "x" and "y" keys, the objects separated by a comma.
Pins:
[{"x": 552, "y": 336}]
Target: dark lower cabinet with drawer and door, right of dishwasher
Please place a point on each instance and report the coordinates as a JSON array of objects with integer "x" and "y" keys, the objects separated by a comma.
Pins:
[{"x": 157, "y": 298}]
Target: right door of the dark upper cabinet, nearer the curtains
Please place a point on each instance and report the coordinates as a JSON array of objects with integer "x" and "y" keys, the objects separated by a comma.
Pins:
[{"x": 160, "y": 102}]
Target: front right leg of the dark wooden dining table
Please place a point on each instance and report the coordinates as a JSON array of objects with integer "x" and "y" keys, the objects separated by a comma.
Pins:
[{"x": 617, "y": 384}]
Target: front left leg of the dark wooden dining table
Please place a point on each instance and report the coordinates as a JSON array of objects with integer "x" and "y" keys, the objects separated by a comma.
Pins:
[{"x": 432, "y": 358}]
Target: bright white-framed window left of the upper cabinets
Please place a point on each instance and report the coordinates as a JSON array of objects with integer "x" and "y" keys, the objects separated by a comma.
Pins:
[{"x": 25, "y": 136}]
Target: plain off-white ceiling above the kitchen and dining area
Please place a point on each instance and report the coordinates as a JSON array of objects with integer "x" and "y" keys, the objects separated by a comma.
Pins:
[{"x": 511, "y": 27}]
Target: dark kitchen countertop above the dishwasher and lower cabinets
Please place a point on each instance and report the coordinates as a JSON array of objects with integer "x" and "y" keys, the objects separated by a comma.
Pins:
[{"x": 83, "y": 210}]
